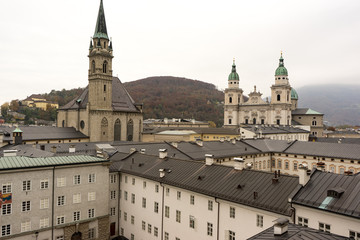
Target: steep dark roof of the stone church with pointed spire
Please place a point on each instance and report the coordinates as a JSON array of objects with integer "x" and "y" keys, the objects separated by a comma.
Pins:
[{"x": 121, "y": 99}]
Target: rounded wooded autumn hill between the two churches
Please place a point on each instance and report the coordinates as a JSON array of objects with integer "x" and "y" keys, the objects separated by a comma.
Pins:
[{"x": 175, "y": 97}]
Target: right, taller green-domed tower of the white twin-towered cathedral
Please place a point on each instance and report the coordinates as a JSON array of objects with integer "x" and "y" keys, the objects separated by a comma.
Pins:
[{"x": 281, "y": 96}]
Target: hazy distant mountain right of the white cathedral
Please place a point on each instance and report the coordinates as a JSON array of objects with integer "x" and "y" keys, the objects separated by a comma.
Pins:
[{"x": 339, "y": 103}]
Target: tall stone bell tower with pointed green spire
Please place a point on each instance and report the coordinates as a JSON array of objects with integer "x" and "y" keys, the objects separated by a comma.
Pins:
[{"x": 100, "y": 66}]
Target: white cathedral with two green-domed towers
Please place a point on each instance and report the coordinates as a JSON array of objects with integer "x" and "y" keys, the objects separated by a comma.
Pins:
[{"x": 281, "y": 109}]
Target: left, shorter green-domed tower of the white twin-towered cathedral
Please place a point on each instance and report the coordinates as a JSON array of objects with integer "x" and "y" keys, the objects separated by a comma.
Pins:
[{"x": 233, "y": 98}]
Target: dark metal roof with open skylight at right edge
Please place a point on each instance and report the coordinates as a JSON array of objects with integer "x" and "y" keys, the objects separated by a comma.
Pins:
[{"x": 315, "y": 191}]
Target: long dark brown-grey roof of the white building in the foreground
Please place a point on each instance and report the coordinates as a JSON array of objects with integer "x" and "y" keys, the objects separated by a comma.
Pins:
[{"x": 216, "y": 180}]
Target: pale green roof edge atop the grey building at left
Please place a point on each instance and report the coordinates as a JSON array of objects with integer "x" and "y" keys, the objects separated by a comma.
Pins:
[{"x": 27, "y": 162}]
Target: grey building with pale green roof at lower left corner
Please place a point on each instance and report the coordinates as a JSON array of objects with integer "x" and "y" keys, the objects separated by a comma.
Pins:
[{"x": 54, "y": 198}]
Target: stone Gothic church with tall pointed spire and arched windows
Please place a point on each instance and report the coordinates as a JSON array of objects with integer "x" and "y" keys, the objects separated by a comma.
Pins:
[{"x": 104, "y": 111}]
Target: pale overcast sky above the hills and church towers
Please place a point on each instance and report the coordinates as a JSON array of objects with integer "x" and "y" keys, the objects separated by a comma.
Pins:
[{"x": 44, "y": 43}]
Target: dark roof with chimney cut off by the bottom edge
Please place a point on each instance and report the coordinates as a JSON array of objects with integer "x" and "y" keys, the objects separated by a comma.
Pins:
[{"x": 296, "y": 232}]
